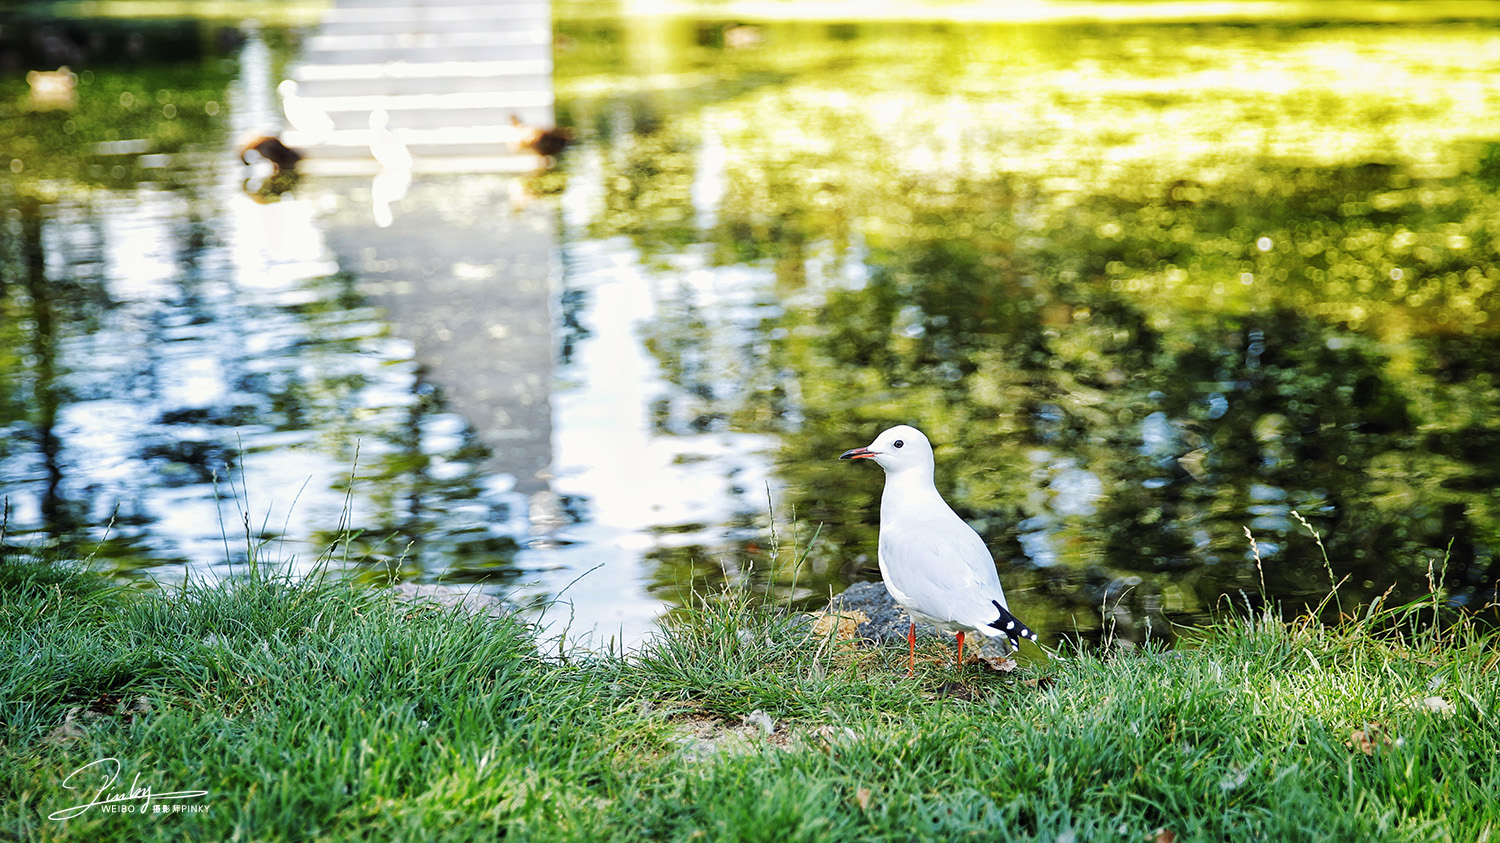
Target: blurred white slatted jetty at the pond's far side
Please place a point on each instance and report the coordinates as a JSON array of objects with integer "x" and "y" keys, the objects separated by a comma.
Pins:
[{"x": 449, "y": 74}]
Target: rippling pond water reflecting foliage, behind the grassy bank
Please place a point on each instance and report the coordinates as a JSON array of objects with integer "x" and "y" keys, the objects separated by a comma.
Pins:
[{"x": 1193, "y": 311}]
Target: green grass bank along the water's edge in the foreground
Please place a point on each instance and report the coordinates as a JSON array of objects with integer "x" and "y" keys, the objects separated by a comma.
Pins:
[{"x": 322, "y": 712}]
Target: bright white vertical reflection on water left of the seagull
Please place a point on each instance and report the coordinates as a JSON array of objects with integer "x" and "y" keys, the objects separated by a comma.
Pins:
[{"x": 634, "y": 478}]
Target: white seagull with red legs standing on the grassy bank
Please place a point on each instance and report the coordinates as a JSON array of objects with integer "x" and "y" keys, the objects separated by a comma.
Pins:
[{"x": 934, "y": 563}]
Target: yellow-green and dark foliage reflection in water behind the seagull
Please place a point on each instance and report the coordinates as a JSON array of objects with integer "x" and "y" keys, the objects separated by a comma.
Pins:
[{"x": 1217, "y": 275}]
